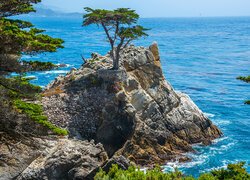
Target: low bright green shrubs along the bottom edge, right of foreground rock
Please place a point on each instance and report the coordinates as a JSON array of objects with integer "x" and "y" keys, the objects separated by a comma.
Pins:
[{"x": 233, "y": 172}]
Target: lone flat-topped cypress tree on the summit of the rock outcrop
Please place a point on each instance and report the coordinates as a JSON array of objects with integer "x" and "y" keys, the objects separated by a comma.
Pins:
[{"x": 120, "y": 27}]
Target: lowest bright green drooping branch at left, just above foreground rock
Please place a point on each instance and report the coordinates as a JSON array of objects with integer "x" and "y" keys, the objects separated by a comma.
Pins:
[{"x": 35, "y": 112}]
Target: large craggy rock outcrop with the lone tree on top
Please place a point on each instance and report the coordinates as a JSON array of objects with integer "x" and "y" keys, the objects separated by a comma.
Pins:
[{"x": 133, "y": 111}]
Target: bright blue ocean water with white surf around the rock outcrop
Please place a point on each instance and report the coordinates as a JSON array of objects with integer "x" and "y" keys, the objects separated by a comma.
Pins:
[{"x": 200, "y": 56}]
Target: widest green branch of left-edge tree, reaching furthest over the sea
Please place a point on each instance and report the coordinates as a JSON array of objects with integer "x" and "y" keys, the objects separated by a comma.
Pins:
[{"x": 17, "y": 39}]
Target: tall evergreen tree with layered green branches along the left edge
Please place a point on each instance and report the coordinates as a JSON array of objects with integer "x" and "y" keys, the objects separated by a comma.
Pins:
[{"x": 18, "y": 37}]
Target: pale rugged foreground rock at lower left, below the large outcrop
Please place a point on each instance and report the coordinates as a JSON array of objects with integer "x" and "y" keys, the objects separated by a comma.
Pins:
[{"x": 66, "y": 159}]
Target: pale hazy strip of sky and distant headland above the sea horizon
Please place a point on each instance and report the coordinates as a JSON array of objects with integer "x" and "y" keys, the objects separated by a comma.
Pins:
[{"x": 160, "y": 8}]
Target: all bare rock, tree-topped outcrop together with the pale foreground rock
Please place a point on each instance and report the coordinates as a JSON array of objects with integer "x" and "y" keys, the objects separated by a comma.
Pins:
[{"x": 130, "y": 115}]
